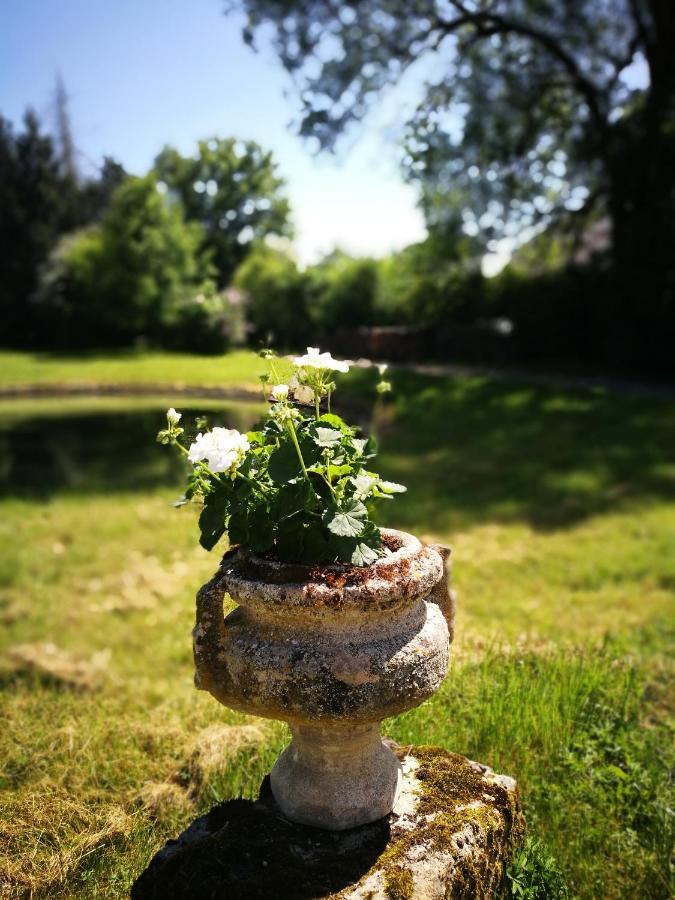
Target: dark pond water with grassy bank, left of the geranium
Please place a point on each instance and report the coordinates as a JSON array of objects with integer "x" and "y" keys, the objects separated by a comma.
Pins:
[{"x": 87, "y": 445}]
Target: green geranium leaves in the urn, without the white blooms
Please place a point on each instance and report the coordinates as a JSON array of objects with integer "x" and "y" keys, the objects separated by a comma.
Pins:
[{"x": 272, "y": 506}]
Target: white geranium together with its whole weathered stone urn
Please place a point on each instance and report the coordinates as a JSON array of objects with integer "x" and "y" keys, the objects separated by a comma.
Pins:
[{"x": 339, "y": 623}]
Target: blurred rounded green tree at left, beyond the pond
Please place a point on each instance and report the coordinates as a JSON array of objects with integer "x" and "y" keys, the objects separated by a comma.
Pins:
[{"x": 140, "y": 273}]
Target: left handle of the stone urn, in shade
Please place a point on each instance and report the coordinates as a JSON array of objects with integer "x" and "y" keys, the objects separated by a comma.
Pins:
[{"x": 210, "y": 639}]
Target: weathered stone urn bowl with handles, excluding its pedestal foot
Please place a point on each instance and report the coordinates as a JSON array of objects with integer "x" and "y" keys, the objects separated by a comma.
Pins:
[{"x": 334, "y": 645}]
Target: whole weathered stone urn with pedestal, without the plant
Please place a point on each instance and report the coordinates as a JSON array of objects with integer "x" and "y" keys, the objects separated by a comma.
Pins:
[{"x": 331, "y": 650}]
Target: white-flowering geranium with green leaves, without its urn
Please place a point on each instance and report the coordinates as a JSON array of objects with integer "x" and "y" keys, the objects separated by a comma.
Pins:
[{"x": 302, "y": 490}]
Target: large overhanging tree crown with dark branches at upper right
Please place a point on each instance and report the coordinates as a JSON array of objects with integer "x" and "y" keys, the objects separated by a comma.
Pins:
[{"x": 535, "y": 113}]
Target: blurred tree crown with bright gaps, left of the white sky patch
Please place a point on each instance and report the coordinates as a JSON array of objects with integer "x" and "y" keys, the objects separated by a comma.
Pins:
[{"x": 232, "y": 189}]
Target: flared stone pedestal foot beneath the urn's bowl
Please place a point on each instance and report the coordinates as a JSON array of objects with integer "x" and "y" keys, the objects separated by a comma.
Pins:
[{"x": 336, "y": 777}]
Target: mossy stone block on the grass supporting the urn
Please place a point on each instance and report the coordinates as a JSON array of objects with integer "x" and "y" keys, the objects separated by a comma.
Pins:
[{"x": 454, "y": 825}]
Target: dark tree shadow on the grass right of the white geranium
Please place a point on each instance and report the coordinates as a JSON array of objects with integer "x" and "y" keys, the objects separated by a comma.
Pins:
[{"x": 470, "y": 450}]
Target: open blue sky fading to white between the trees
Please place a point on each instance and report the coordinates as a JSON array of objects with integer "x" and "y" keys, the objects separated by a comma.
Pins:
[{"x": 146, "y": 73}]
